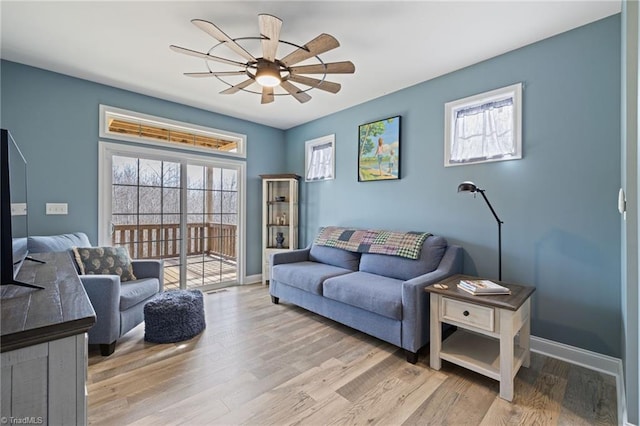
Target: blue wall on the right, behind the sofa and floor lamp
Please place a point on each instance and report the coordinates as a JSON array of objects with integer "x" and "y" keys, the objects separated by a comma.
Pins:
[{"x": 561, "y": 229}]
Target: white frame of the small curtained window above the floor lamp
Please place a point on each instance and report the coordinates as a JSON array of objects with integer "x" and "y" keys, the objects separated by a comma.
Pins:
[{"x": 514, "y": 92}]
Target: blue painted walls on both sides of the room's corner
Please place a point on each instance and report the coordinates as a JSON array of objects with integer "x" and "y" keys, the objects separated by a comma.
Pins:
[{"x": 561, "y": 231}]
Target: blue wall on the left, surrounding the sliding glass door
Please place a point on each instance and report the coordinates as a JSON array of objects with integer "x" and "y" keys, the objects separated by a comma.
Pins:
[{"x": 54, "y": 119}]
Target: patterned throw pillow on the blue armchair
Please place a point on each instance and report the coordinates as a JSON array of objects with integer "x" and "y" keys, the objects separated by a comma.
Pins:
[{"x": 104, "y": 261}]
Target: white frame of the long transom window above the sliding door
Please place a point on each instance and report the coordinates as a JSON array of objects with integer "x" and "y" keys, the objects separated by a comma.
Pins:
[{"x": 109, "y": 111}]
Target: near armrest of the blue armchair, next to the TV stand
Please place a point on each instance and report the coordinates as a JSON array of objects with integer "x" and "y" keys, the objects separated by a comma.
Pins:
[{"x": 104, "y": 294}]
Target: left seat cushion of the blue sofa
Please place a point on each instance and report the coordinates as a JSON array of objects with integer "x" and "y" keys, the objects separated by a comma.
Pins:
[{"x": 307, "y": 276}]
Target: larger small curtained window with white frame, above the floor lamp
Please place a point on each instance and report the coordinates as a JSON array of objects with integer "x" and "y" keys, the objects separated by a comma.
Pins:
[{"x": 485, "y": 127}]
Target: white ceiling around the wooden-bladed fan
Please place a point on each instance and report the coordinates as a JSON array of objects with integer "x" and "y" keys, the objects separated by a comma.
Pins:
[{"x": 393, "y": 44}]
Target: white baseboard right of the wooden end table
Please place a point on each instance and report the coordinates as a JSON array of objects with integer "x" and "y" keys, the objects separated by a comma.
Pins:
[{"x": 592, "y": 360}]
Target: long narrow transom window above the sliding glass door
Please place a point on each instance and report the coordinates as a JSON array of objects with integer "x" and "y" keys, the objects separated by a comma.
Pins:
[{"x": 135, "y": 127}]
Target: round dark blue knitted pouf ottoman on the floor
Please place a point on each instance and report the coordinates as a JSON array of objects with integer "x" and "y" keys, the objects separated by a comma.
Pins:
[{"x": 174, "y": 316}]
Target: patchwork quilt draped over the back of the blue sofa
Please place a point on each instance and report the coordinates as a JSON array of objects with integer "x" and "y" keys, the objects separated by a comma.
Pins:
[{"x": 404, "y": 244}]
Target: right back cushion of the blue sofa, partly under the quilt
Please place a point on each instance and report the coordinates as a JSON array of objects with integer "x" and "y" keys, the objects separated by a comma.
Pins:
[{"x": 402, "y": 268}]
